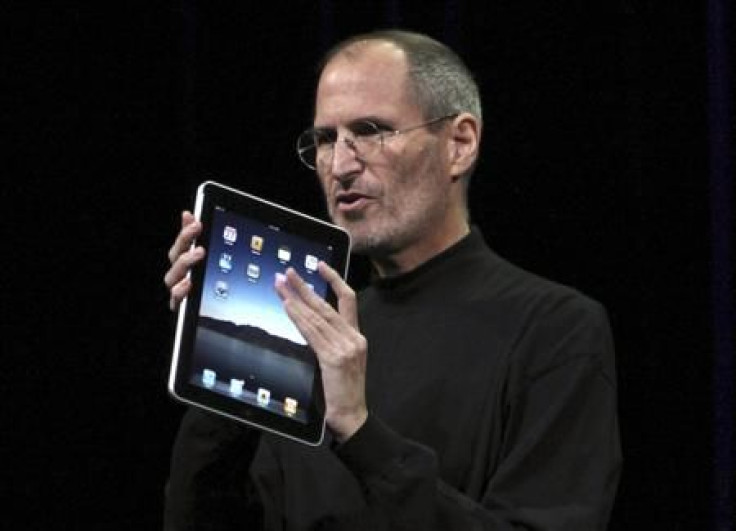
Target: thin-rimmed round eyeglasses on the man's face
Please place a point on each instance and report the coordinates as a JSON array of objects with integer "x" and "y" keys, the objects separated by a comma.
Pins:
[{"x": 316, "y": 145}]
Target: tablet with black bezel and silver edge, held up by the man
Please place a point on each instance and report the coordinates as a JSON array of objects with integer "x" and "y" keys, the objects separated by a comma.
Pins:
[{"x": 236, "y": 352}]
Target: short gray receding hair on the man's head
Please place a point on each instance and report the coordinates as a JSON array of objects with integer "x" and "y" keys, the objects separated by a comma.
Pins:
[{"x": 439, "y": 80}]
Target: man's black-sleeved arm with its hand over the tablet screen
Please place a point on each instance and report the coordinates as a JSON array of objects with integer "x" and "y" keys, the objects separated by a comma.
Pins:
[{"x": 561, "y": 457}]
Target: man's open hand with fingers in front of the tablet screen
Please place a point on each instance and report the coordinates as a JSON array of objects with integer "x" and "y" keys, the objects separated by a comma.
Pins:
[{"x": 337, "y": 342}]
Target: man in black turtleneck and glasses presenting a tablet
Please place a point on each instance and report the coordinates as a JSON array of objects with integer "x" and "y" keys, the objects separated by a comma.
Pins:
[{"x": 461, "y": 392}]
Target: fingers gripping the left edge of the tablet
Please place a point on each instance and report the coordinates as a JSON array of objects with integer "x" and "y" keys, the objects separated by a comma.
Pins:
[{"x": 182, "y": 258}]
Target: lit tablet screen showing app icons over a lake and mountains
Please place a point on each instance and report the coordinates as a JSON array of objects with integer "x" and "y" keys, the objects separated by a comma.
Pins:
[{"x": 246, "y": 347}]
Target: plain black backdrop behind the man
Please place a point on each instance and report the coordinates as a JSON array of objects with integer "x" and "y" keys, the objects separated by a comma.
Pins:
[{"x": 594, "y": 173}]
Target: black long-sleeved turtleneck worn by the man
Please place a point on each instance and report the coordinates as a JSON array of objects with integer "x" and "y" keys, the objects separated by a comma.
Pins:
[{"x": 492, "y": 406}]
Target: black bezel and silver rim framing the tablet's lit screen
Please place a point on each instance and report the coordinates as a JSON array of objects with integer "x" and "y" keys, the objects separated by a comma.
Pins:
[{"x": 210, "y": 196}]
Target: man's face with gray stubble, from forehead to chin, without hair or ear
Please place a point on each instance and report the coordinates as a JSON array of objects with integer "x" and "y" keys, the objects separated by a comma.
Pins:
[{"x": 399, "y": 195}]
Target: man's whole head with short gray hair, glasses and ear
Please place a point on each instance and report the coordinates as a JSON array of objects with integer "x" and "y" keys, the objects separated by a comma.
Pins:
[{"x": 401, "y": 193}]
